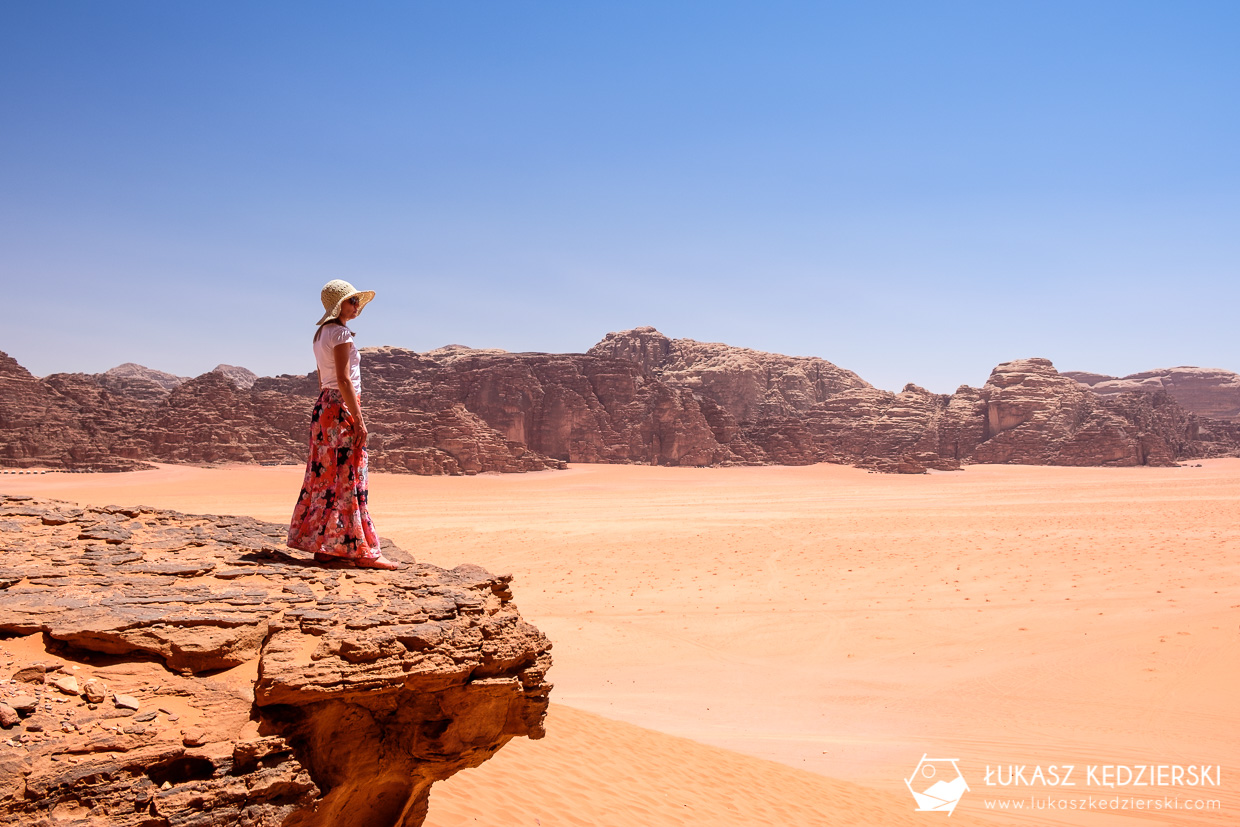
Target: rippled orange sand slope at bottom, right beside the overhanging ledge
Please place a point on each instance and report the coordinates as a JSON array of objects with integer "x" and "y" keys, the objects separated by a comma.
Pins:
[{"x": 601, "y": 773}]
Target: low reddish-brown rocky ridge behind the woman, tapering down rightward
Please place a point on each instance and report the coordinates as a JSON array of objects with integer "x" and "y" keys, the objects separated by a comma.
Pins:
[{"x": 82, "y": 422}]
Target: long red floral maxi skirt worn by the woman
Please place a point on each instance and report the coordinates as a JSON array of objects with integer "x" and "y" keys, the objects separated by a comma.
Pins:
[{"x": 332, "y": 516}]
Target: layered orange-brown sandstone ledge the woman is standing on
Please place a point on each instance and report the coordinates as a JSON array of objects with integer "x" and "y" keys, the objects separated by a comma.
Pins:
[{"x": 172, "y": 670}]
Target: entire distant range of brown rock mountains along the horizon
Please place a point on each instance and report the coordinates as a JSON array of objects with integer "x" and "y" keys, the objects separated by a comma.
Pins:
[{"x": 635, "y": 397}]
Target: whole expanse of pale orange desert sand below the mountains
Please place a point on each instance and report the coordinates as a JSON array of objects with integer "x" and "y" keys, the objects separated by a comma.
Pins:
[{"x": 813, "y": 632}]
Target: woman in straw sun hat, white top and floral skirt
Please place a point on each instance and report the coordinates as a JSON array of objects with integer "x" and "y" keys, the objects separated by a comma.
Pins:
[{"x": 332, "y": 518}]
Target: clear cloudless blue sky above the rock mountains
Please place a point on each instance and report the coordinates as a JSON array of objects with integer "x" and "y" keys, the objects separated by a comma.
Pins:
[{"x": 916, "y": 192}]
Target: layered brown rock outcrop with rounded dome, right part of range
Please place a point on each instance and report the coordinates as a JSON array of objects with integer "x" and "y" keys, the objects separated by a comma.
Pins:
[{"x": 1026, "y": 415}]
